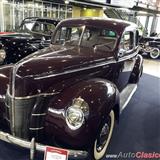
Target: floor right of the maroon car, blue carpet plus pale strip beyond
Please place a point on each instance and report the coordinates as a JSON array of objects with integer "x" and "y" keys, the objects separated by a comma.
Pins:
[{"x": 138, "y": 130}]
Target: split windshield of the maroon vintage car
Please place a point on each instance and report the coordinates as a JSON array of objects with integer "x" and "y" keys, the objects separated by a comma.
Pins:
[{"x": 86, "y": 36}]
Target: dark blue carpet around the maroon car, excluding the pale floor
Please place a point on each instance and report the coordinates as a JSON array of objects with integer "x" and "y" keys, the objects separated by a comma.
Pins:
[{"x": 137, "y": 131}]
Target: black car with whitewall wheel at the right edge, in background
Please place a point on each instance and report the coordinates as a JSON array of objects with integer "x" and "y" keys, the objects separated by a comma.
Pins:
[{"x": 150, "y": 46}]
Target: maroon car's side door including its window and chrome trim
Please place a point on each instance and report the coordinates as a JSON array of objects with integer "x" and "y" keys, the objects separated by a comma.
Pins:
[{"x": 126, "y": 57}]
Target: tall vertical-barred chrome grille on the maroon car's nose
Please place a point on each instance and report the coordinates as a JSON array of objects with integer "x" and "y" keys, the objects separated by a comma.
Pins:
[{"x": 20, "y": 114}]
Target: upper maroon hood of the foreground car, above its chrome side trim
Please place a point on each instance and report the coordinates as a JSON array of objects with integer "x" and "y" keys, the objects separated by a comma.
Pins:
[{"x": 59, "y": 59}]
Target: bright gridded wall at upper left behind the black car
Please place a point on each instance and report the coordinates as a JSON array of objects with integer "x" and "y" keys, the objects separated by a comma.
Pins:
[{"x": 13, "y": 12}]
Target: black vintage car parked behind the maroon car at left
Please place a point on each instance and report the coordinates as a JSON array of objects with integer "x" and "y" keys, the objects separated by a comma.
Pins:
[{"x": 33, "y": 34}]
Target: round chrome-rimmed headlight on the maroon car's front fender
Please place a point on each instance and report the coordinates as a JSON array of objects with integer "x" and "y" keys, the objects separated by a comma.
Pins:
[{"x": 75, "y": 113}]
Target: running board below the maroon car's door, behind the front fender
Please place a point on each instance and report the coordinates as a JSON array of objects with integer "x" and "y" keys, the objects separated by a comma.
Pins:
[{"x": 126, "y": 95}]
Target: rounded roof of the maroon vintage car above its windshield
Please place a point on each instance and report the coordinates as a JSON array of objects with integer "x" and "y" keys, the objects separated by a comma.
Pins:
[{"x": 114, "y": 24}]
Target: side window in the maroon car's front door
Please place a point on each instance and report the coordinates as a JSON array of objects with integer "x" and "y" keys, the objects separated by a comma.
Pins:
[{"x": 127, "y": 41}]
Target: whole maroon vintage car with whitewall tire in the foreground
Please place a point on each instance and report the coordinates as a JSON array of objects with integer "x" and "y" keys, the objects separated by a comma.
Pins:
[{"x": 70, "y": 94}]
